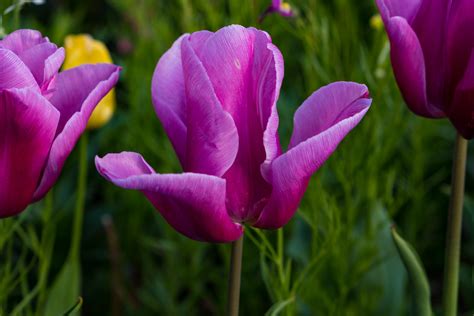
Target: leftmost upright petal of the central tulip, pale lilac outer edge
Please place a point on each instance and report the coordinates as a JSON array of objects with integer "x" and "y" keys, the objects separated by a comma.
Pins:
[{"x": 168, "y": 97}]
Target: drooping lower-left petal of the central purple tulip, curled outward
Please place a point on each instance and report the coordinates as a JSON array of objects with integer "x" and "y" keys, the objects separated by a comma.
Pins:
[{"x": 193, "y": 204}]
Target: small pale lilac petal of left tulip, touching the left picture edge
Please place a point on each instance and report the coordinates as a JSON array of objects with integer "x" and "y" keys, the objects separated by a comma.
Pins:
[{"x": 14, "y": 73}]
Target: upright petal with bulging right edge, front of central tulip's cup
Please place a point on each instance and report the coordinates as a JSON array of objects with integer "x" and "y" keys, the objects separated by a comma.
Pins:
[{"x": 212, "y": 140}]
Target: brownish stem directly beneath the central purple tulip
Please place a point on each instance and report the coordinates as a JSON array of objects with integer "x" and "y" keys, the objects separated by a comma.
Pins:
[{"x": 234, "y": 277}]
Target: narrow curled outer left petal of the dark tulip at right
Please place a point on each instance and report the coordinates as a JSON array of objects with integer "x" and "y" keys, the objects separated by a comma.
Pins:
[{"x": 409, "y": 68}]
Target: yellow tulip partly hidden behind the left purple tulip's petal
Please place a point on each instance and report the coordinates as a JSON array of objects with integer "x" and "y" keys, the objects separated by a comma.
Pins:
[{"x": 83, "y": 49}]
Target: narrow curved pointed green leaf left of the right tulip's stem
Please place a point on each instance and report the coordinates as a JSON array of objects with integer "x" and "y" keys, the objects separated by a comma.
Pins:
[{"x": 416, "y": 274}]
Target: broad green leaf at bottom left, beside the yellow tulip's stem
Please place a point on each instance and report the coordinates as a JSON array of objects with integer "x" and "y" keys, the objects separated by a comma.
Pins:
[{"x": 65, "y": 289}]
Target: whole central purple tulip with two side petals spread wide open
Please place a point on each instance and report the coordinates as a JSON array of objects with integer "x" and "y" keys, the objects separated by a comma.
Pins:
[{"x": 216, "y": 94}]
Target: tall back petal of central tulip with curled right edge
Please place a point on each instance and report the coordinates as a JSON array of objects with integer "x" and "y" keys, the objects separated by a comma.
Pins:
[{"x": 246, "y": 72}]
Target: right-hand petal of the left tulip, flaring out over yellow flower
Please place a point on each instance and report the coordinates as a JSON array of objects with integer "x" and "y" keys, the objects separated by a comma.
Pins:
[{"x": 78, "y": 91}]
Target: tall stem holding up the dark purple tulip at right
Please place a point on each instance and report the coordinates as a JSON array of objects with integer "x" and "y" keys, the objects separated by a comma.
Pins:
[{"x": 453, "y": 237}]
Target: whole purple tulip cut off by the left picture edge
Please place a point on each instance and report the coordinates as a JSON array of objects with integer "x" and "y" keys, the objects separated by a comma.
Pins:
[{"x": 42, "y": 114}]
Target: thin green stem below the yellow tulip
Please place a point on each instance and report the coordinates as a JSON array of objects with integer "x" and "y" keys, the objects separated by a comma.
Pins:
[{"x": 80, "y": 199}]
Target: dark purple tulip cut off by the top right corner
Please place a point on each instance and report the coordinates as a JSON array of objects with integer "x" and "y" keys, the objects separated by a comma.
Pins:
[{"x": 432, "y": 50}]
